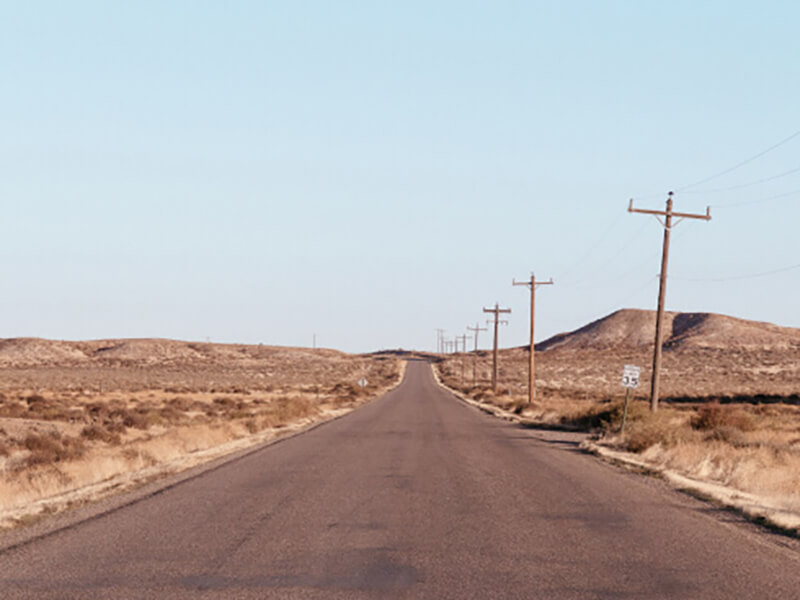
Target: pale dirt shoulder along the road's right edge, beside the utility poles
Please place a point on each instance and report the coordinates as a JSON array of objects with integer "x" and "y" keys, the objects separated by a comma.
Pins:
[{"x": 754, "y": 508}]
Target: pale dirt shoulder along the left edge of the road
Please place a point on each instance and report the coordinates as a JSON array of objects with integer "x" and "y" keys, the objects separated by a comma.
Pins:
[{"x": 149, "y": 485}]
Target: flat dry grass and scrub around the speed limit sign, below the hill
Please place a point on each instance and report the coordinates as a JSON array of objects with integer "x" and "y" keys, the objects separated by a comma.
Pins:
[{"x": 733, "y": 418}]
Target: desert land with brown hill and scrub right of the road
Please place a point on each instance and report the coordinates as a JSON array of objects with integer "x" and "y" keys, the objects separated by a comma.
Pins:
[{"x": 730, "y": 392}]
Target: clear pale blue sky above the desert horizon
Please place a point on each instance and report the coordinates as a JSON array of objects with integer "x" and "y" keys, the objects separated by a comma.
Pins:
[{"x": 370, "y": 171}]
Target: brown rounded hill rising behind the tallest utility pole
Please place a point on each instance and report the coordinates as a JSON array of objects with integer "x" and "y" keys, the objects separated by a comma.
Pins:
[{"x": 631, "y": 328}]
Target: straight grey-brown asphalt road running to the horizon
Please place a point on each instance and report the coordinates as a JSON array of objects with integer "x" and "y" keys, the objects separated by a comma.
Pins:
[{"x": 415, "y": 495}]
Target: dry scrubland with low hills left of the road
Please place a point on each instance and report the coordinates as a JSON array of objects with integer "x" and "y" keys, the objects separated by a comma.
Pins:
[{"x": 82, "y": 419}]
